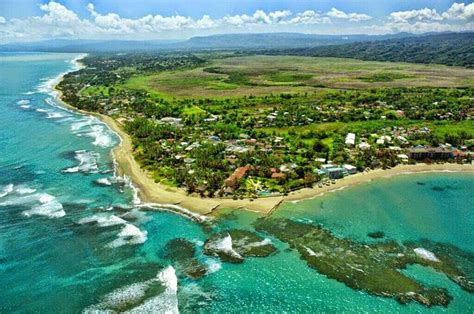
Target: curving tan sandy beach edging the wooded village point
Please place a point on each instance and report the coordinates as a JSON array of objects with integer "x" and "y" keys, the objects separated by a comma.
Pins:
[{"x": 158, "y": 195}]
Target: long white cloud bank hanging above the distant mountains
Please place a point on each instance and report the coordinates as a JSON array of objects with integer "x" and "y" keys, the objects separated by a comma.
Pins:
[{"x": 58, "y": 21}]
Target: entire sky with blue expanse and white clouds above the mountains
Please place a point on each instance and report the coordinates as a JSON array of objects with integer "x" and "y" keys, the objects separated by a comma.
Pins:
[{"x": 33, "y": 20}]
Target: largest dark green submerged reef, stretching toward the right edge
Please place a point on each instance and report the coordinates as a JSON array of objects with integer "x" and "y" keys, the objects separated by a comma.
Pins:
[{"x": 373, "y": 268}]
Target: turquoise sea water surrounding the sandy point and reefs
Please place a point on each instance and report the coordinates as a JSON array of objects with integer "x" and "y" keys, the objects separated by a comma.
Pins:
[{"x": 56, "y": 177}]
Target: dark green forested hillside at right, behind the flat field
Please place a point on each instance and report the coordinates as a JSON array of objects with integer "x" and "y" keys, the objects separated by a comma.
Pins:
[{"x": 447, "y": 48}]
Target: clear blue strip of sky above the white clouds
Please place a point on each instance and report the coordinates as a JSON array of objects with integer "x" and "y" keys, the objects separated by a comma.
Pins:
[{"x": 219, "y": 8}]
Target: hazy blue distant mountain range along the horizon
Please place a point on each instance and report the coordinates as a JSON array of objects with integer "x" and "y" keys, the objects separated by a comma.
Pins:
[{"x": 214, "y": 42}]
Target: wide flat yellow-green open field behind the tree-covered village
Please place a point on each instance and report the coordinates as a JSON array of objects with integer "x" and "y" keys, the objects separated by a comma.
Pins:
[{"x": 262, "y": 75}]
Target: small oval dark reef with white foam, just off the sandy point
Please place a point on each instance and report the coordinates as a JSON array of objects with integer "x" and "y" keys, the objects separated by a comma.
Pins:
[{"x": 234, "y": 245}]
